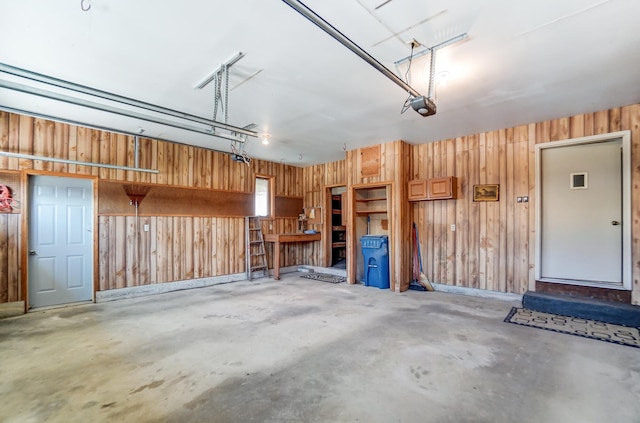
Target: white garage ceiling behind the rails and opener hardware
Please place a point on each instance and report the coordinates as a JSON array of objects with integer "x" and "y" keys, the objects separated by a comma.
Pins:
[{"x": 524, "y": 61}]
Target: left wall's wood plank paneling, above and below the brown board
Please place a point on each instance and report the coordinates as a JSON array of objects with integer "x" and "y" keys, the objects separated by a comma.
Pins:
[{"x": 183, "y": 246}]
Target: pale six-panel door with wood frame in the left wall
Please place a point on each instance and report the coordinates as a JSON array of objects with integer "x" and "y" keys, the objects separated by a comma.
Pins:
[{"x": 60, "y": 240}]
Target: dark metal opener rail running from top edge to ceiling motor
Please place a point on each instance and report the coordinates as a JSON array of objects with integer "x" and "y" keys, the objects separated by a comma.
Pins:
[{"x": 345, "y": 41}]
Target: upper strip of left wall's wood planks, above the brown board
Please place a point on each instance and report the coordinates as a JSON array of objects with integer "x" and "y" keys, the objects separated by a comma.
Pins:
[{"x": 178, "y": 164}]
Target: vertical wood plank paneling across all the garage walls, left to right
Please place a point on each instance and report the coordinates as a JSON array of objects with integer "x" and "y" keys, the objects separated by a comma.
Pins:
[{"x": 492, "y": 247}]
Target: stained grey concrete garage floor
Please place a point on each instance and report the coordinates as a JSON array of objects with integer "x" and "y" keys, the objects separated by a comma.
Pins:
[{"x": 298, "y": 350}]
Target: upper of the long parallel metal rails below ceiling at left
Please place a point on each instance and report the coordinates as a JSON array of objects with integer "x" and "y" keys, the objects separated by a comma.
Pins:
[{"x": 60, "y": 83}]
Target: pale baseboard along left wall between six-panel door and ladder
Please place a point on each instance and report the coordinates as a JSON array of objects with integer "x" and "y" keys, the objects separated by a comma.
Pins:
[{"x": 161, "y": 288}]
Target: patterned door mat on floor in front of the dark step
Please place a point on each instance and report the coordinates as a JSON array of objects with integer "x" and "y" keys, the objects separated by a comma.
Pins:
[{"x": 593, "y": 329}]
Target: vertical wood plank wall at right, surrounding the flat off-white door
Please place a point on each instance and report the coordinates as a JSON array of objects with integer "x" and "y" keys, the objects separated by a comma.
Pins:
[{"x": 493, "y": 246}]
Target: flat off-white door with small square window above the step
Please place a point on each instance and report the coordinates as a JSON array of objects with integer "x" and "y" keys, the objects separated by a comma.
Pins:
[{"x": 582, "y": 214}]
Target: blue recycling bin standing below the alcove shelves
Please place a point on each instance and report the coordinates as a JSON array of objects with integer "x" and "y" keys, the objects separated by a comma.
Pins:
[{"x": 375, "y": 249}]
